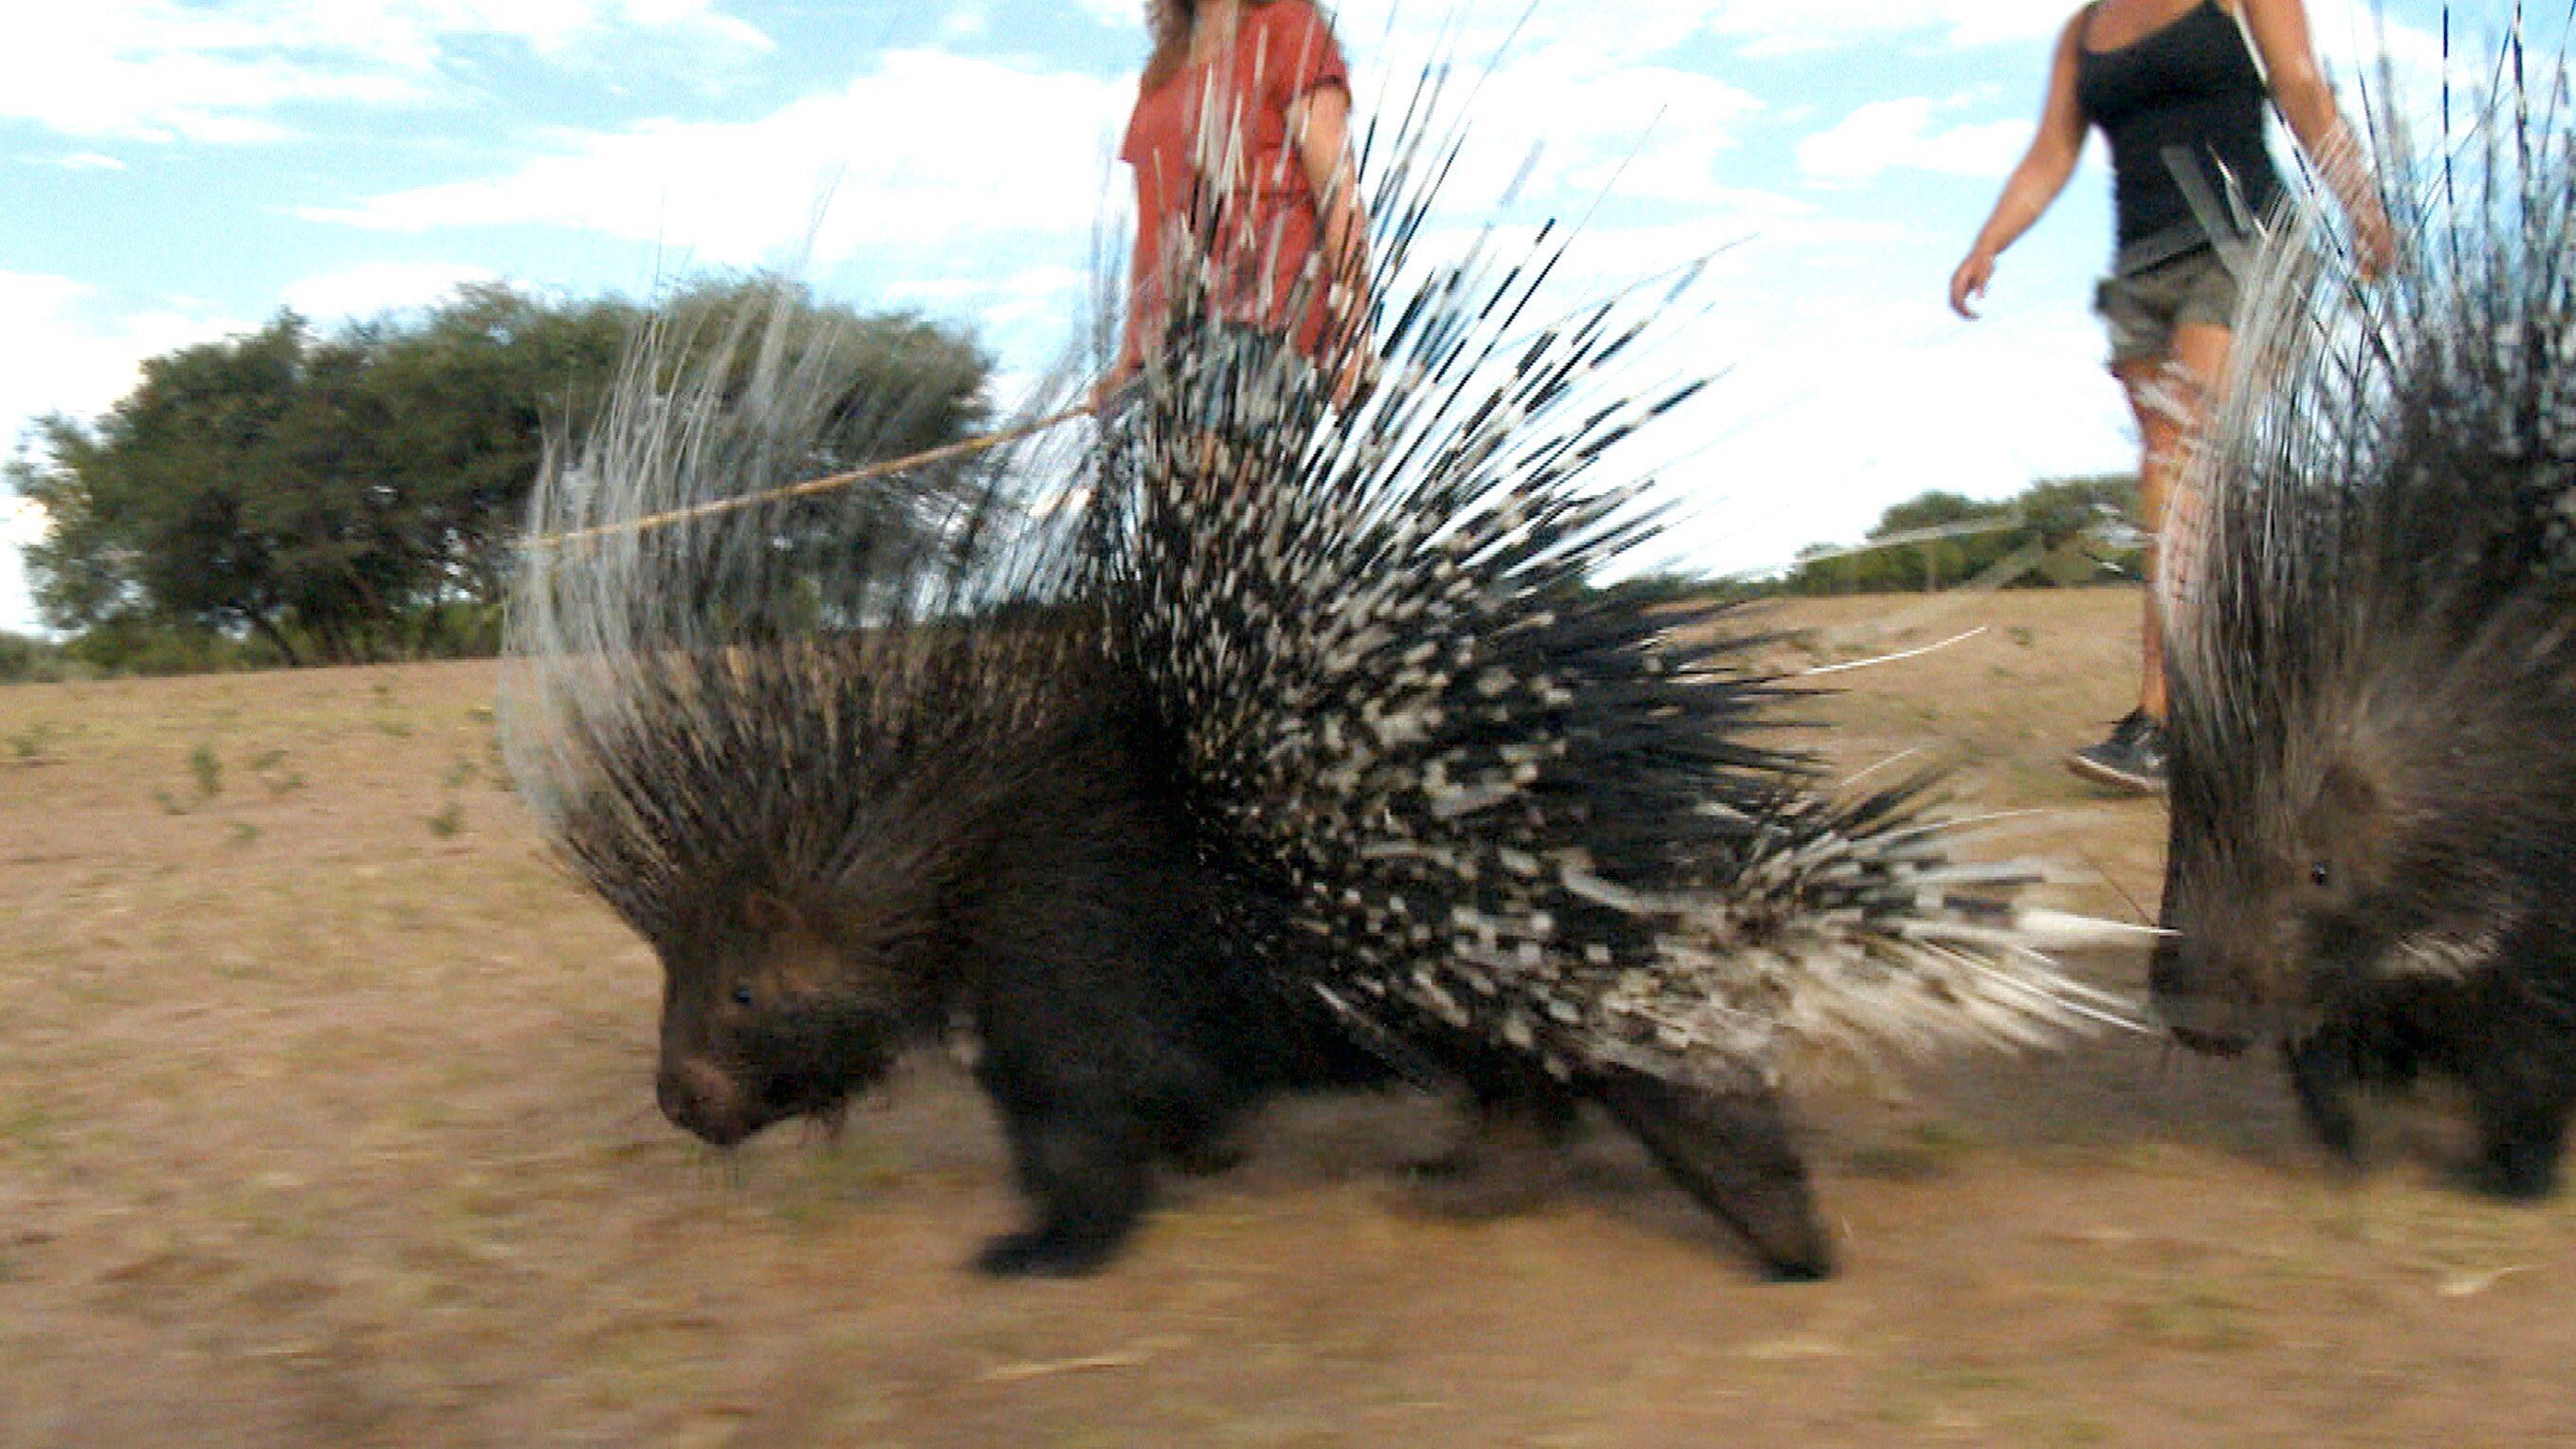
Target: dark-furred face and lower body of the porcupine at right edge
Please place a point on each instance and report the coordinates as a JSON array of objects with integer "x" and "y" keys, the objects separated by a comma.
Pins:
[{"x": 2320, "y": 909}]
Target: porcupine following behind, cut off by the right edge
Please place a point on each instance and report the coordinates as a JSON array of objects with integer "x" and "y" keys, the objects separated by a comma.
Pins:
[{"x": 2374, "y": 777}]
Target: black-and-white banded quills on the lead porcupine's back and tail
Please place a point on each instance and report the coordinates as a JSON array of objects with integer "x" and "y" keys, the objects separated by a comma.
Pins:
[{"x": 1495, "y": 801}]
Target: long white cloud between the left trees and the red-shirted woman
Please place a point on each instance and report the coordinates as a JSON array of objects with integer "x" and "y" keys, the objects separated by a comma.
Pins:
[{"x": 1011, "y": 153}]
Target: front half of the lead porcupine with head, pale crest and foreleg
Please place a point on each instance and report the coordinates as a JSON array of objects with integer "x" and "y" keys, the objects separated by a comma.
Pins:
[{"x": 893, "y": 795}]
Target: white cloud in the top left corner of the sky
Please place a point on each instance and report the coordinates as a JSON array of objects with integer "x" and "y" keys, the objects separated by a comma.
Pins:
[{"x": 171, "y": 71}]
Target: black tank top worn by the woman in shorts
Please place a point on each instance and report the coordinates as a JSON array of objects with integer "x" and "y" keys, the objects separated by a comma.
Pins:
[{"x": 2188, "y": 92}]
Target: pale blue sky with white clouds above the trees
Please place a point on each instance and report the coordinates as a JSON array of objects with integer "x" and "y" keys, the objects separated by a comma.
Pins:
[{"x": 174, "y": 171}]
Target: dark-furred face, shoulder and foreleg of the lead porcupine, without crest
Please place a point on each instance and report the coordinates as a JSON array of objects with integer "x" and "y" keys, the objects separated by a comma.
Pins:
[{"x": 1068, "y": 922}]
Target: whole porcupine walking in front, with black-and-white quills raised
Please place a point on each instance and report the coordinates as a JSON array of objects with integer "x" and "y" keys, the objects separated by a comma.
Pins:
[{"x": 1297, "y": 736}]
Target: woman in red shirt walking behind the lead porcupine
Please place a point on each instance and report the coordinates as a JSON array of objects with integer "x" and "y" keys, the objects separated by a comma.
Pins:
[{"x": 1243, "y": 164}]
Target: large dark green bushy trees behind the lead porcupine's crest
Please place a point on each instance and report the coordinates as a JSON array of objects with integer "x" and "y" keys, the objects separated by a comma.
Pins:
[{"x": 295, "y": 499}]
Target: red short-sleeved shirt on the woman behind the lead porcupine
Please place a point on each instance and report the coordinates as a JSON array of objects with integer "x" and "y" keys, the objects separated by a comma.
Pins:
[{"x": 1266, "y": 215}]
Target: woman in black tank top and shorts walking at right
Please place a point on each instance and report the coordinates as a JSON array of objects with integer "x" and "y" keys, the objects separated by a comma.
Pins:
[{"x": 2178, "y": 89}]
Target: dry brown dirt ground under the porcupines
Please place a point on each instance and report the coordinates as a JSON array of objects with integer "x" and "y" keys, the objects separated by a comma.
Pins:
[{"x": 326, "y": 1120}]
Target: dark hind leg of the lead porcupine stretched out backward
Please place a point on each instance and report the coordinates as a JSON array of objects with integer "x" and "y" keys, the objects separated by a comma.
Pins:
[{"x": 1735, "y": 1156}]
